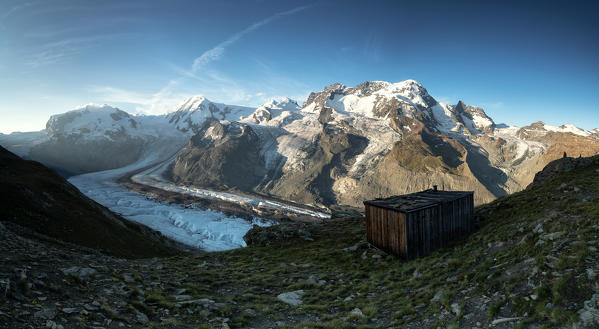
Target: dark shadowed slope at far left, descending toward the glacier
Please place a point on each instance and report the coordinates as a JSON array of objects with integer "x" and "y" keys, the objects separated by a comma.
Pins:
[{"x": 38, "y": 202}]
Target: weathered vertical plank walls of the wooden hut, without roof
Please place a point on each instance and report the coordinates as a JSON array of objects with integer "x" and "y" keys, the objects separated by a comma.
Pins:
[{"x": 417, "y": 233}]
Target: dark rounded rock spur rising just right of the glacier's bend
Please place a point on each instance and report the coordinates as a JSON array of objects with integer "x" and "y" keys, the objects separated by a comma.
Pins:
[{"x": 221, "y": 156}]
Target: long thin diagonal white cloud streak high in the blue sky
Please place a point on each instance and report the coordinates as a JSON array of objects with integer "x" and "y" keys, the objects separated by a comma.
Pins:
[{"x": 216, "y": 52}]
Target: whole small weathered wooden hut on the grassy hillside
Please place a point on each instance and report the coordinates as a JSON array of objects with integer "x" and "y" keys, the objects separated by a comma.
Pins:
[{"x": 413, "y": 225}]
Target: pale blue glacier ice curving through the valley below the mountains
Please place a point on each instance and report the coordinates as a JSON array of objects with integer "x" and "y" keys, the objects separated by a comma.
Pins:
[{"x": 206, "y": 230}]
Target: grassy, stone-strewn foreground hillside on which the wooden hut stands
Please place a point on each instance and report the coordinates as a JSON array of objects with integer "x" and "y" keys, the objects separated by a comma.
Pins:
[{"x": 531, "y": 263}]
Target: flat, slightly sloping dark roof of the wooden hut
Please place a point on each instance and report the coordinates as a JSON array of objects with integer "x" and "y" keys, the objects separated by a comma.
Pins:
[{"x": 416, "y": 201}]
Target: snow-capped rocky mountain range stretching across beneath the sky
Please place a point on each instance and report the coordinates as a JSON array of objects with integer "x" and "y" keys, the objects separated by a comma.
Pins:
[{"x": 343, "y": 145}]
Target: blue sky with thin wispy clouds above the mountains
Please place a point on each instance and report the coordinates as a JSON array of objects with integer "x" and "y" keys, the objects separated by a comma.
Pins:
[{"x": 520, "y": 62}]
